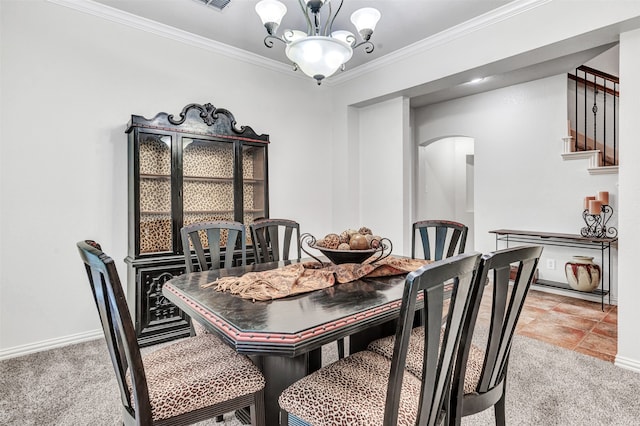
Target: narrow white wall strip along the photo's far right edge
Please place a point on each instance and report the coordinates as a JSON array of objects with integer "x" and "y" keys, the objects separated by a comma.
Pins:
[{"x": 629, "y": 296}]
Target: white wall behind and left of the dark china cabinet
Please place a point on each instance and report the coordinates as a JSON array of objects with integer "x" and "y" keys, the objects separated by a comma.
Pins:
[{"x": 70, "y": 82}]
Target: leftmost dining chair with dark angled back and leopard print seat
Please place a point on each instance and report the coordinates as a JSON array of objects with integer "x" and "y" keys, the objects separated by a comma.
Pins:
[{"x": 189, "y": 381}]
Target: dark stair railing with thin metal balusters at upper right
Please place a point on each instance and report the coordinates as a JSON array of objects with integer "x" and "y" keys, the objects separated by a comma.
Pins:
[{"x": 600, "y": 92}]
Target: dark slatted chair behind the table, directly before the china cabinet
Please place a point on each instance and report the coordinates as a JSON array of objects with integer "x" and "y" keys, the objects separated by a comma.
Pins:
[{"x": 212, "y": 243}]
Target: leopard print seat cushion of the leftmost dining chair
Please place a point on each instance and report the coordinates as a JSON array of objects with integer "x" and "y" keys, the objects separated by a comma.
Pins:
[{"x": 195, "y": 373}]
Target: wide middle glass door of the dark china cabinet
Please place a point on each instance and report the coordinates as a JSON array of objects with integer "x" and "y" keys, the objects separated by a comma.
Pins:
[{"x": 207, "y": 180}]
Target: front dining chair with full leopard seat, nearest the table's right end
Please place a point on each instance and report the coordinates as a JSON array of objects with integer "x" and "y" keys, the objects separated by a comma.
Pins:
[{"x": 367, "y": 388}]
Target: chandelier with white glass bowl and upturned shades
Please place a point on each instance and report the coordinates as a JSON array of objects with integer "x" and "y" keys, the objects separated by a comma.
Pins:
[{"x": 318, "y": 53}]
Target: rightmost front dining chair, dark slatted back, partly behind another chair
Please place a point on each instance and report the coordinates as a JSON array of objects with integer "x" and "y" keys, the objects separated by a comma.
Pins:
[{"x": 480, "y": 376}]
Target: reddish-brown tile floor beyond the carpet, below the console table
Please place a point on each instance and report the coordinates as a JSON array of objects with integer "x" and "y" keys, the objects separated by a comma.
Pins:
[{"x": 565, "y": 321}]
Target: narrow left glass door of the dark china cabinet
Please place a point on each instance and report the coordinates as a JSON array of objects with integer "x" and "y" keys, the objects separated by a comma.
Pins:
[{"x": 154, "y": 153}]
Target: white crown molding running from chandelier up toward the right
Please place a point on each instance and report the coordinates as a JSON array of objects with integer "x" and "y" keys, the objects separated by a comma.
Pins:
[{"x": 502, "y": 13}]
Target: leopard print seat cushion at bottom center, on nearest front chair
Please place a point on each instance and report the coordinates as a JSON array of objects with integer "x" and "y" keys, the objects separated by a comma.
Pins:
[{"x": 351, "y": 391}]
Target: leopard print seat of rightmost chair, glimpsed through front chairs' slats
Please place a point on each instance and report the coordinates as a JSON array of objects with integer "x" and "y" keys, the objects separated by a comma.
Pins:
[{"x": 384, "y": 347}]
